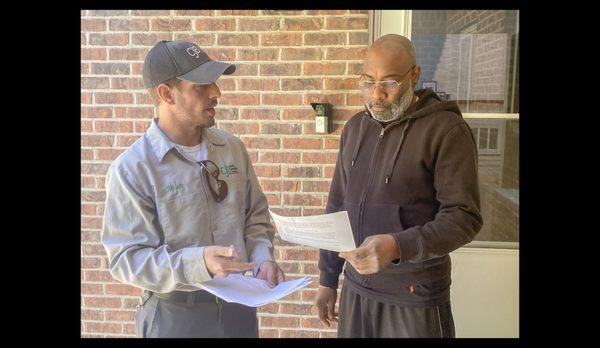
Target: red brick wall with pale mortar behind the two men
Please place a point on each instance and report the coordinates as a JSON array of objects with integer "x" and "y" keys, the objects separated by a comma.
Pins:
[{"x": 285, "y": 60}]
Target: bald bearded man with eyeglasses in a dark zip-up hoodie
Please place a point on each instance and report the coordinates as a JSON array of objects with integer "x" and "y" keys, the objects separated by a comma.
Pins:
[{"x": 406, "y": 174}]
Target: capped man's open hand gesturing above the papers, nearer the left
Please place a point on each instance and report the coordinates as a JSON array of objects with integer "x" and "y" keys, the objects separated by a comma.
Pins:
[{"x": 221, "y": 260}]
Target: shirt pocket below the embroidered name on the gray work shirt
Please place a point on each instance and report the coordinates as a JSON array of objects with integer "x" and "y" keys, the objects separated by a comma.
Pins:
[{"x": 185, "y": 219}]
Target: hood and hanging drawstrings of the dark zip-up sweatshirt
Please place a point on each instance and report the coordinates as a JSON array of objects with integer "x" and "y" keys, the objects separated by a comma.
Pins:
[{"x": 428, "y": 103}]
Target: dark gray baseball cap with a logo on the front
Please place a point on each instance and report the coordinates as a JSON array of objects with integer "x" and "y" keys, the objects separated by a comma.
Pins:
[{"x": 184, "y": 60}]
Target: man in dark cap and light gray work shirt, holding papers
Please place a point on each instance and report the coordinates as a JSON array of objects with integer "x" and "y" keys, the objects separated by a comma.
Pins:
[{"x": 183, "y": 204}]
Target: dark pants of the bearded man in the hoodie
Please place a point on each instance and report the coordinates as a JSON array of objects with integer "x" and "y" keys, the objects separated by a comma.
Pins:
[{"x": 363, "y": 317}]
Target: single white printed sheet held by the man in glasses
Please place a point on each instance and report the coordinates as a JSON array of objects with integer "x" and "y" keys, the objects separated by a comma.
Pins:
[{"x": 326, "y": 231}]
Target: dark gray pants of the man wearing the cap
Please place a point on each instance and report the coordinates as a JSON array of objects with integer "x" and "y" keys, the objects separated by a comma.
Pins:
[{"x": 160, "y": 318}]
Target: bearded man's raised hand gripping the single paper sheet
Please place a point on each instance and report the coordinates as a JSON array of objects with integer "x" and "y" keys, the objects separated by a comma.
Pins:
[{"x": 374, "y": 254}]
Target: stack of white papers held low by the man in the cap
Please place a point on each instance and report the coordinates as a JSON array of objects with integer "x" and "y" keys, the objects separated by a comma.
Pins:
[{"x": 251, "y": 291}]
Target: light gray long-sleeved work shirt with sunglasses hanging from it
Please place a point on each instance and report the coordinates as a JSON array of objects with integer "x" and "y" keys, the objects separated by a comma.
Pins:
[{"x": 160, "y": 215}]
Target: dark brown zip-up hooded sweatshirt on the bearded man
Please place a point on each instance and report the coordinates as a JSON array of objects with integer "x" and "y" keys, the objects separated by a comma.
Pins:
[{"x": 415, "y": 179}]
